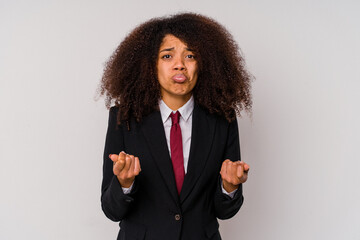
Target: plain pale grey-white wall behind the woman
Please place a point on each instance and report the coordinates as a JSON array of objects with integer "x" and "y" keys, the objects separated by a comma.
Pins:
[{"x": 302, "y": 140}]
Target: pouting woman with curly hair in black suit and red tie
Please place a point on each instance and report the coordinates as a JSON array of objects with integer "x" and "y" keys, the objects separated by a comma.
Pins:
[{"x": 172, "y": 157}]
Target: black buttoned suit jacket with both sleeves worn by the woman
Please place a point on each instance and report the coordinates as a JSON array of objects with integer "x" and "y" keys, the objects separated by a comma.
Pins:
[{"x": 154, "y": 210}]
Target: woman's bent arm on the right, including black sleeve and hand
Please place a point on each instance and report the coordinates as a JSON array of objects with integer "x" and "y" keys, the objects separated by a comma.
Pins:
[{"x": 225, "y": 206}]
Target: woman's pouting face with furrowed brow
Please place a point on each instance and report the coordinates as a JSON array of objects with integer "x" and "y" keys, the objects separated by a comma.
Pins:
[{"x": 177, "y": 69}]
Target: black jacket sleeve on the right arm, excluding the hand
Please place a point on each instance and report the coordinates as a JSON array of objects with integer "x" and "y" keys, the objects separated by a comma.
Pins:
[{"x": 225, "y": 206}]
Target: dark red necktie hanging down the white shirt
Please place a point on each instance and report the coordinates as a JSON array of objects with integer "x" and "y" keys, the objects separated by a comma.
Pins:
[{"x": 177, "y": 156}]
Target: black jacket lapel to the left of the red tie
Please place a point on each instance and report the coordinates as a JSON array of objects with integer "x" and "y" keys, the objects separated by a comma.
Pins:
[{"x": 154, "y": 133}]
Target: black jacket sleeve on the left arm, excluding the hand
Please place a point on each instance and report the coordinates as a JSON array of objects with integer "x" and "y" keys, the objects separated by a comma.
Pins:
[{"x": 114, "y": 202}]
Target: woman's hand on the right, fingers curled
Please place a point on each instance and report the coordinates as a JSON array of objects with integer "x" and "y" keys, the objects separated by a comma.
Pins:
[{"x": 233, "y": 174}]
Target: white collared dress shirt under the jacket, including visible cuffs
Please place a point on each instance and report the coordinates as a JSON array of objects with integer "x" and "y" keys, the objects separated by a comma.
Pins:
[{"x": 185, "y": 123}]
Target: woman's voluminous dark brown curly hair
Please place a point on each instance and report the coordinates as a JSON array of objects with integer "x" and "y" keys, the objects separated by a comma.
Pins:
[{"x": 130, "y": 75}]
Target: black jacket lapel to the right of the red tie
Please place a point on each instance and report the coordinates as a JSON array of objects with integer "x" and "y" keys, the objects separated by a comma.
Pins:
[{"x": 202, "y": 134}]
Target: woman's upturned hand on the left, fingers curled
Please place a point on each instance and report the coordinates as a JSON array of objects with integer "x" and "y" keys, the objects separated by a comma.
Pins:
[{"x": 126, "y": 168}]
